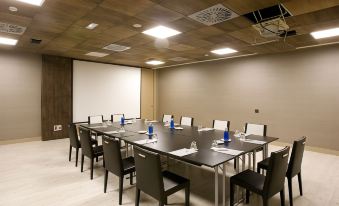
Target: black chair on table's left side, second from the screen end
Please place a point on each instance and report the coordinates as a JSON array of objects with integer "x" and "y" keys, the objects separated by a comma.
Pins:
[{"x": 87, "y": 149}]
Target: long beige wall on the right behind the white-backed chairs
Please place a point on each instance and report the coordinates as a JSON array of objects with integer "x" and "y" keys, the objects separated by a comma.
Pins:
[{"x": 297, "y": 93}]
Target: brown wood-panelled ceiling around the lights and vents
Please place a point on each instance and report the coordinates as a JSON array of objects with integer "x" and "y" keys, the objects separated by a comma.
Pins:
[{"x": 60, "y": 24}]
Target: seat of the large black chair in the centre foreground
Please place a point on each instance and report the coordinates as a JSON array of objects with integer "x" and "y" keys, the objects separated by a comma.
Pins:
[{"x": 173, "y": 182}]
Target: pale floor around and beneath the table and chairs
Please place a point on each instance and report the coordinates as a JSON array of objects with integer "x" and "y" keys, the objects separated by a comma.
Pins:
[{"x": 38, "y": 173}]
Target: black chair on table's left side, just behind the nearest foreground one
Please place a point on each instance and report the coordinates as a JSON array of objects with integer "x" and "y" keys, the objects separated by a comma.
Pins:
[{"x": 115, "y": 164}]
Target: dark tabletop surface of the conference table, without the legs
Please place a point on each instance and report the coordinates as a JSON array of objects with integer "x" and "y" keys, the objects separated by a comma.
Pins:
[{"x": 170, "y": 140}]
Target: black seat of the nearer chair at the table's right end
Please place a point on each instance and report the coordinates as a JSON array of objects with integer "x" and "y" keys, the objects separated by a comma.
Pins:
[{"x": 250, "y": 180}]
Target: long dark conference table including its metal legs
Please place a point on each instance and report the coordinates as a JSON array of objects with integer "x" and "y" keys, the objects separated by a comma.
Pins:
[{"x": 166, "y": 141}]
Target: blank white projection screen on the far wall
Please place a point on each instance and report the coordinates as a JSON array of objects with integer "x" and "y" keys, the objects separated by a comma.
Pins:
[{"x": 105, "y": 89}]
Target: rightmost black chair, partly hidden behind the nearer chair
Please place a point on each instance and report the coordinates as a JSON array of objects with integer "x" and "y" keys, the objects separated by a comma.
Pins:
[{"x": 294, "y": 166}]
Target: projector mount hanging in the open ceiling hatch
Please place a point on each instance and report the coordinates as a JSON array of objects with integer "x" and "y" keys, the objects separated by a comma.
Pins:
[{"x": 270, "y": 22}]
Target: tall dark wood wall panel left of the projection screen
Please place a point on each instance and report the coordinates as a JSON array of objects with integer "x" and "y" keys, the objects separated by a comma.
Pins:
[{"x": 56, "y": 96}]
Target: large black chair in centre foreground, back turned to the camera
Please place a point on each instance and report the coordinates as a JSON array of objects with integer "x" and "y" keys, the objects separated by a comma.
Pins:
[{"x": 154, "y": 182}]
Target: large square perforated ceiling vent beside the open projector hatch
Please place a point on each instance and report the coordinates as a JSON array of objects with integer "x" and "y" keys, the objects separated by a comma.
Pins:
[{"x": 213, "y": 15}]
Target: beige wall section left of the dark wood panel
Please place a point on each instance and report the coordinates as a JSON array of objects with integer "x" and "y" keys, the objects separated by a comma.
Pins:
[{"x": 20, "y": 95}]
